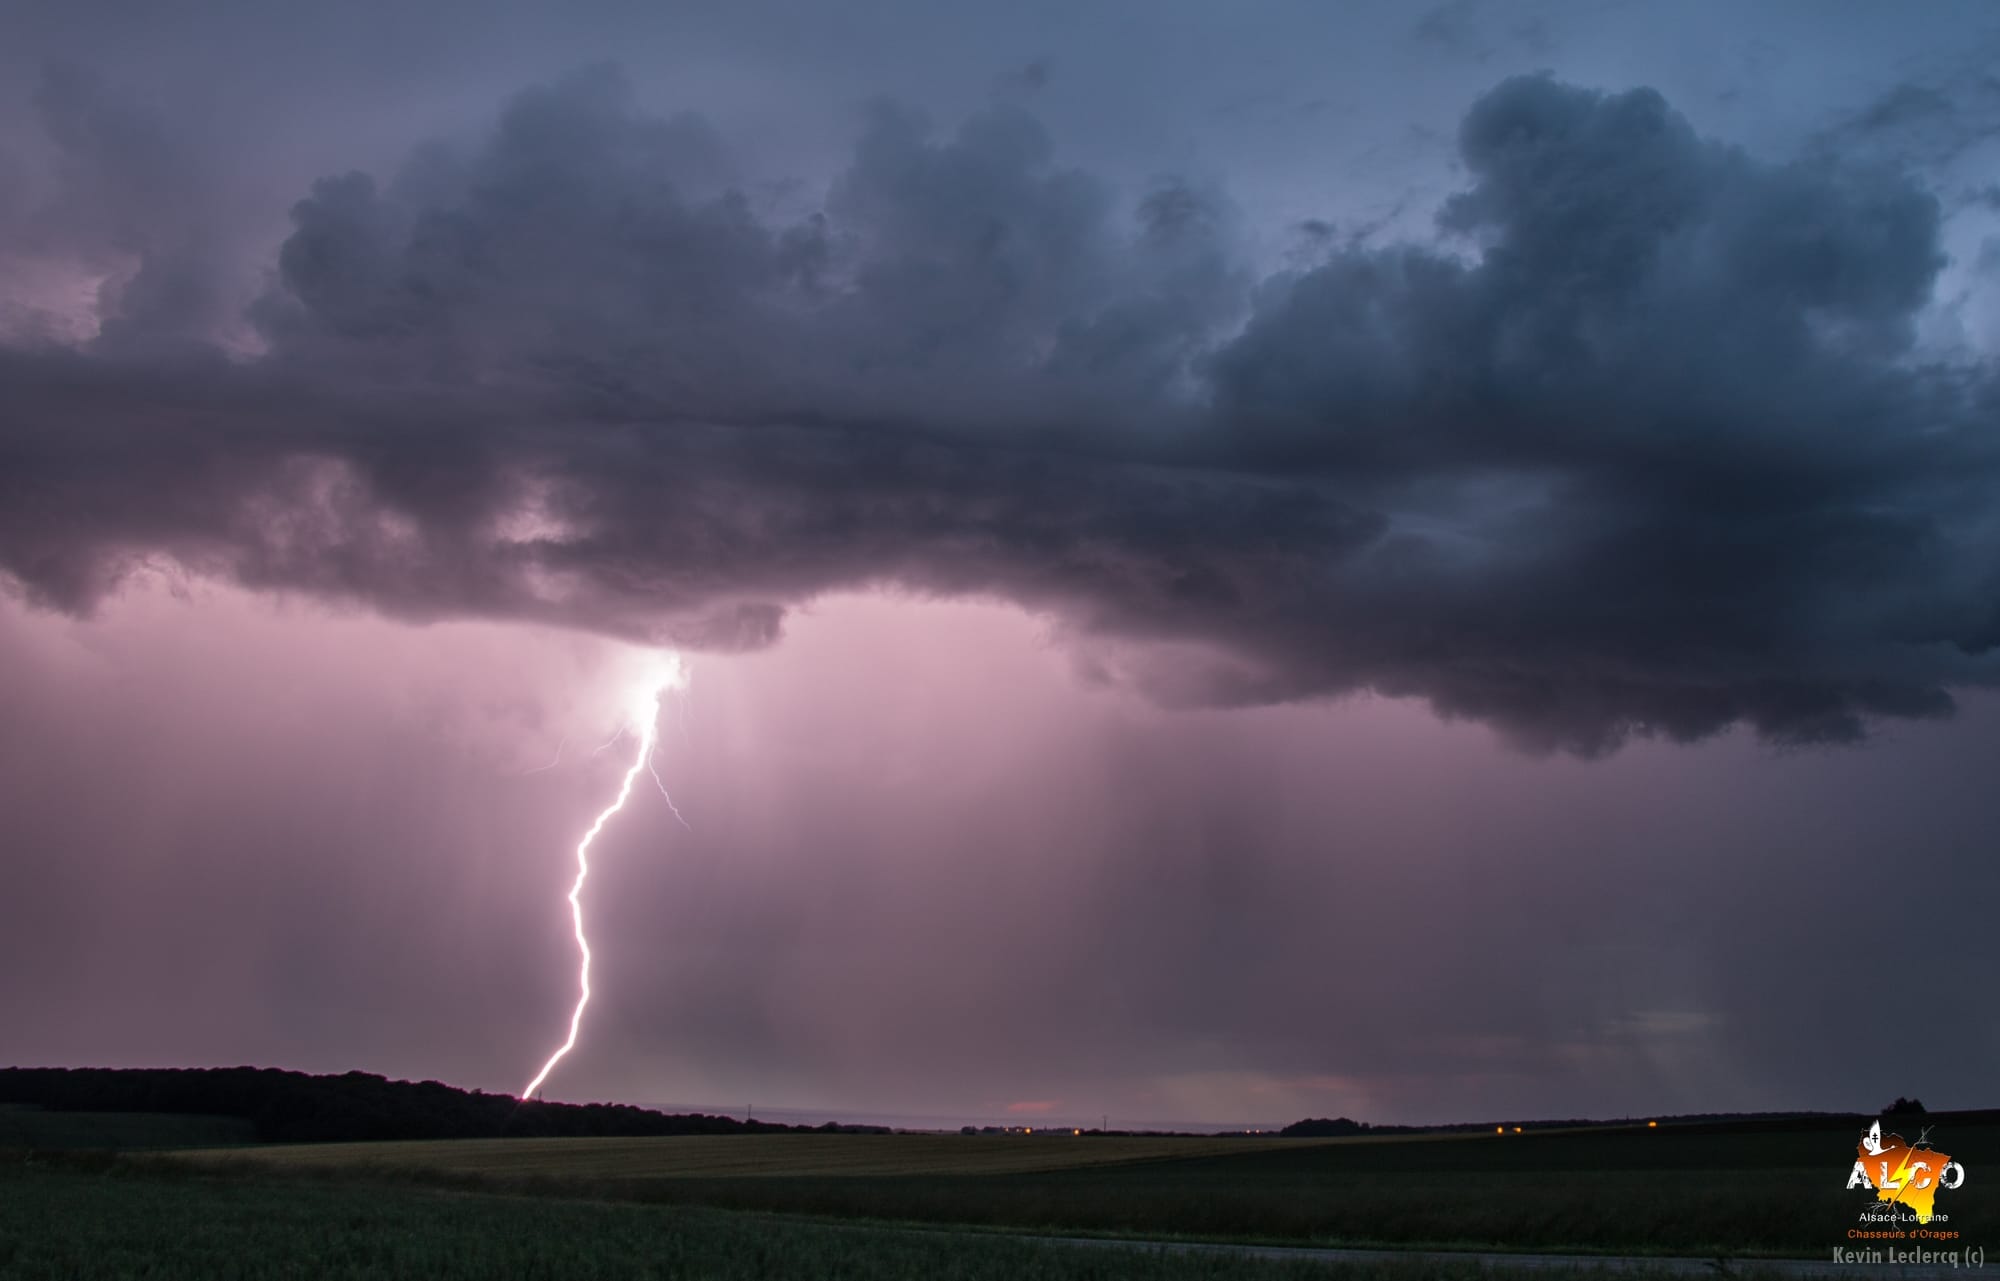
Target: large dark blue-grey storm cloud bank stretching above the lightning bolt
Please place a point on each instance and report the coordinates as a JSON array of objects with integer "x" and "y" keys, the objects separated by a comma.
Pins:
[{"x": 1641, "y": 445}]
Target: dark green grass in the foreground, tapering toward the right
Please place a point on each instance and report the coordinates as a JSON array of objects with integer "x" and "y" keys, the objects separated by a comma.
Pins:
[{"x": 121, "y": 1220}]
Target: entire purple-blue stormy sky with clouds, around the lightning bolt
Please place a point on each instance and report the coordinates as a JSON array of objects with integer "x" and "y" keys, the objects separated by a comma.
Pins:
[{"x": 1235, "y": 561}]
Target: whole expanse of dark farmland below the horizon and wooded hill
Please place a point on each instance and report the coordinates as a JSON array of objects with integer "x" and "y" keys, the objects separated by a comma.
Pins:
[{"x": 719, "y": 1206}]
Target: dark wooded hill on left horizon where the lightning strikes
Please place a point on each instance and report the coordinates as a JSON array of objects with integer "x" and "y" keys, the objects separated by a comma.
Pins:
[{"x": 299, "y": 1108}]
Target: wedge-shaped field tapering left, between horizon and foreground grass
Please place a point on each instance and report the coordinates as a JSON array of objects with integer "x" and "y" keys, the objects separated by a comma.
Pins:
[{"x": 1719, "y": 1190}]
